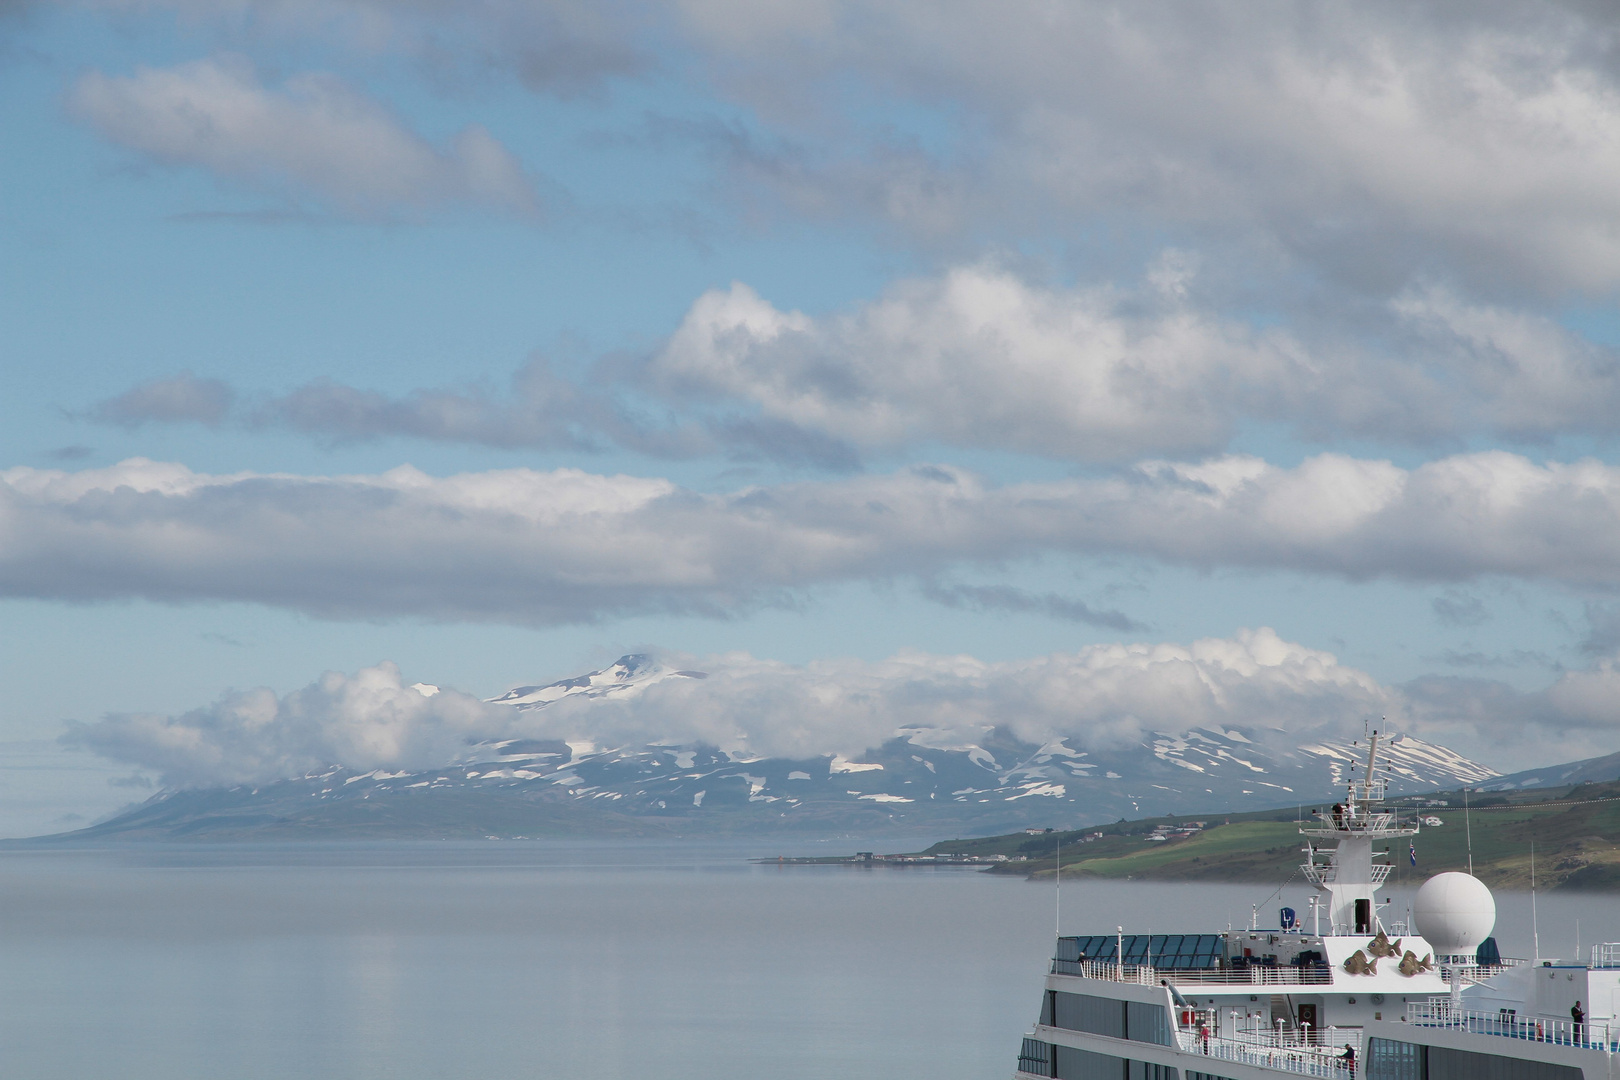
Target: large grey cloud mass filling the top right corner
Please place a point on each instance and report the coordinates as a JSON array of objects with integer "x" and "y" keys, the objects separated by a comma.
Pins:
[{"x": 1366, "y": 143}]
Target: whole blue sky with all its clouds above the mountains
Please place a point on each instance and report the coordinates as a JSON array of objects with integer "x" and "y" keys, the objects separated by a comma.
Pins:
[{"x": 1080, "y": 367}]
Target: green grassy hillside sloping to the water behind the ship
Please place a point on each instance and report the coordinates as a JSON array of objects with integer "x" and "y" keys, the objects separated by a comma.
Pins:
[{"x": 1575, "y": 844}]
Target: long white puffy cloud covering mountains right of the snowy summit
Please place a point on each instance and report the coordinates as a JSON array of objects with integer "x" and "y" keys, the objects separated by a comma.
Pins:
[{"x": 1107, "y": 697}]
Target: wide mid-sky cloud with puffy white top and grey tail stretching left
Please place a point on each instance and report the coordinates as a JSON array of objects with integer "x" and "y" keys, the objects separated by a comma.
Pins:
[{"x": 979, "y": 357}]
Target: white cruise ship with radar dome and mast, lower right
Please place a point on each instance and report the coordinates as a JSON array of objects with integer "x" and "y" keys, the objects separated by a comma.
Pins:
[{"x": 1342, "y": 993}]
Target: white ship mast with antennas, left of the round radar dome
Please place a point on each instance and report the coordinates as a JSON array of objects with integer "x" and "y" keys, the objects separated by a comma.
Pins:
[{"x": 1352, "y": 874}]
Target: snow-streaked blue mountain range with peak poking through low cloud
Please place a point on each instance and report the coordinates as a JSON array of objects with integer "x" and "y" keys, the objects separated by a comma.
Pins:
[{"x": 921, "y": 780}]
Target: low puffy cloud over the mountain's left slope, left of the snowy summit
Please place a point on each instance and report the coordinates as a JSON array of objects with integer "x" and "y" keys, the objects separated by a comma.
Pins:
[{"x": 367, "y": 721}]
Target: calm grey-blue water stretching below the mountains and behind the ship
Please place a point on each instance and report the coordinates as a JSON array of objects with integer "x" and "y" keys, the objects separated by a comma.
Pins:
[{"x": 553, "y": 961}]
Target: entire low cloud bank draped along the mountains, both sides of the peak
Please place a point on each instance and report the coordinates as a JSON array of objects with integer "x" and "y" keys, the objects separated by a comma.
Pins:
[{"x": 1101, "y": 699}]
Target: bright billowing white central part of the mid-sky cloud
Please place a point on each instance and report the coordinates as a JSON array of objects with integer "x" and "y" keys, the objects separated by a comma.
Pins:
[{"x": 981, "y": 359}]
